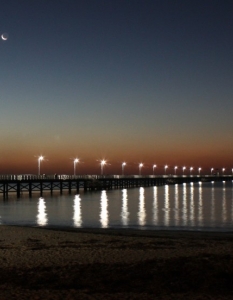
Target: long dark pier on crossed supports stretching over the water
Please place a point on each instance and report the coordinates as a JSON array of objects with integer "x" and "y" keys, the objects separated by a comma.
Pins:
[{"x": 19, "y": 184}]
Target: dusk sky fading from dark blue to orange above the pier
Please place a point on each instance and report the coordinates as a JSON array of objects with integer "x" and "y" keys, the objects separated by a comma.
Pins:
[{"x": 140, "y": 81}]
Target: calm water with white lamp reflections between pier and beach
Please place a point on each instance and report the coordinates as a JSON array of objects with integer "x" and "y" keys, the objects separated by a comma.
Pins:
[{"x": 199, "y": 206}]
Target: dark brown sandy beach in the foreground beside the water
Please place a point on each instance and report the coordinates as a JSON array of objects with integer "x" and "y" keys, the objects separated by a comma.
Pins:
[{"x": 114, "y": 264}]
